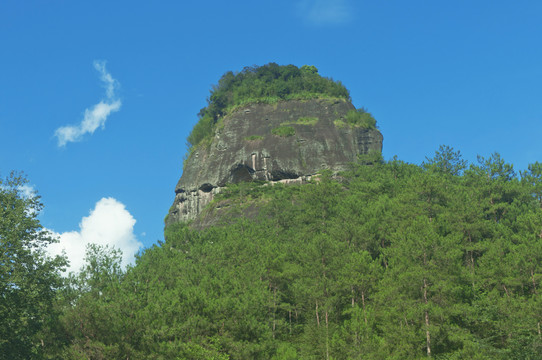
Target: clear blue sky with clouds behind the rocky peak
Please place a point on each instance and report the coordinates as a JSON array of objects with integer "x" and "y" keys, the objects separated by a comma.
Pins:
[{"x": 467, "y": 74}]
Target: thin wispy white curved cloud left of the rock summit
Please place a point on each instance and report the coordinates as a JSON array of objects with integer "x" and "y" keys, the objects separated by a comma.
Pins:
[{"x": 97, "y": 115}]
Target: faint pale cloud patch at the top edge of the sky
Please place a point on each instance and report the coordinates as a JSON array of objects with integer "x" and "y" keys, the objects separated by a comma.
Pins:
[{"x": 325, "y": 12}]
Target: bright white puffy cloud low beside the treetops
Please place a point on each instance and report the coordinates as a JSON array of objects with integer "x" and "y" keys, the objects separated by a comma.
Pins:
[{"x": 109, "y": 223}]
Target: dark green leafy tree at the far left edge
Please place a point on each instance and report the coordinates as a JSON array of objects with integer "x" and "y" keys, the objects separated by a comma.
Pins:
[{"x": 28, "y": 278}]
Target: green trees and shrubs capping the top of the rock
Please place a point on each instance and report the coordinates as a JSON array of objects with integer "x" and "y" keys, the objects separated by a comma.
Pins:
[{"x": 268, "y": 83}]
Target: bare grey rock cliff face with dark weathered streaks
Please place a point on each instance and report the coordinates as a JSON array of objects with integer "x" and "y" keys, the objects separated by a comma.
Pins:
[{"x": 286, "y": 141}]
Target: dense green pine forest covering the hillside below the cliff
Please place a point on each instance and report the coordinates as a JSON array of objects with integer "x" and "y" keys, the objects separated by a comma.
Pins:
[{"x": 389, "y": 260}]
